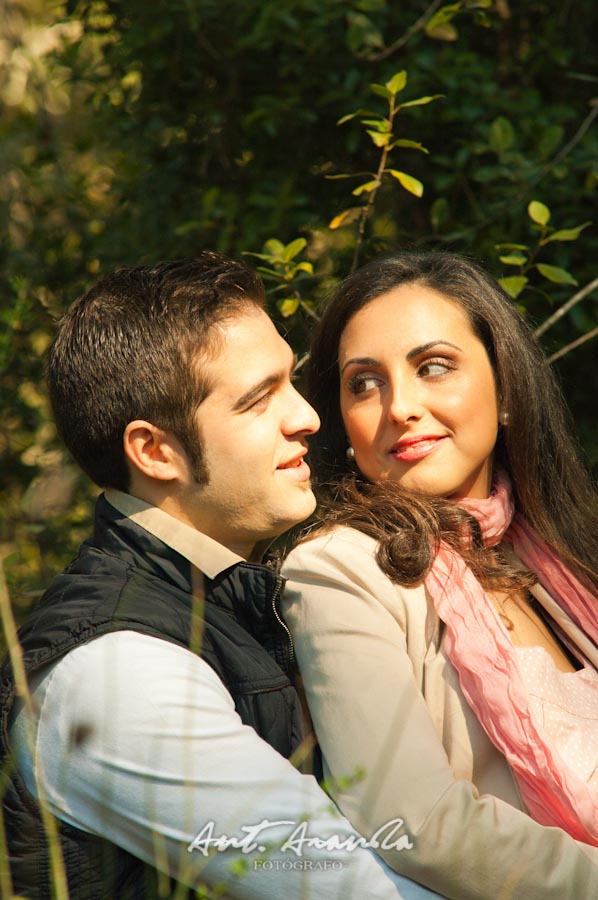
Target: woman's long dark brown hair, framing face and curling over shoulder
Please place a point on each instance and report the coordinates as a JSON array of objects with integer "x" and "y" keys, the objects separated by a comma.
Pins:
[{"x": 551, "y": 487}]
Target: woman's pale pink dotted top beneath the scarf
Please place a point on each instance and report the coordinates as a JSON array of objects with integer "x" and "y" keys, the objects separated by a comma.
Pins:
[{"x": 565, "y": 706}]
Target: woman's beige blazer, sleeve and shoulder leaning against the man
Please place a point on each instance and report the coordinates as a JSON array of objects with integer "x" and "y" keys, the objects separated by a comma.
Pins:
[{"x": 401, "y": 742}]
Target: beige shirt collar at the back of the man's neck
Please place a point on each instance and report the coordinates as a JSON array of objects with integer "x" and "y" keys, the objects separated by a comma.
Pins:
[{"x": 202, "y": 551}]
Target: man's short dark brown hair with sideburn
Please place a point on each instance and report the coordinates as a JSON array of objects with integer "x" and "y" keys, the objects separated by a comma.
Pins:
[{"x": 131, "y": 348}]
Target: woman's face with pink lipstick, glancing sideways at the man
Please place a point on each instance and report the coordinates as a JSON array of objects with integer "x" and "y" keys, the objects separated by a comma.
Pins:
[{"x": 418, "y": 395}]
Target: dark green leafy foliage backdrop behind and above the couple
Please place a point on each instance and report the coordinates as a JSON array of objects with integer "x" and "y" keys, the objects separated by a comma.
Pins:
[{"x": 135, "y": 132}]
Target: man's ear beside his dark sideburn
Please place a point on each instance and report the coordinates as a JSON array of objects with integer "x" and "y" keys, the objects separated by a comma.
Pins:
[{"x": 152, "y": 451}]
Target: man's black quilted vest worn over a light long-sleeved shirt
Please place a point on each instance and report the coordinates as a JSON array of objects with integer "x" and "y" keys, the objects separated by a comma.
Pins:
[{"x": 124, "y": 578}]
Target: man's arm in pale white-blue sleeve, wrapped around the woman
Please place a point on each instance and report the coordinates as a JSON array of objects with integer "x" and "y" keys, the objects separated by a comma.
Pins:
[{"x": 138, "y": 741}]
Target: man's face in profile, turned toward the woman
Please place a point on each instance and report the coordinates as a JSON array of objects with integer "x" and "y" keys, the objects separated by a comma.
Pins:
[{"x": 253, "y": 428}]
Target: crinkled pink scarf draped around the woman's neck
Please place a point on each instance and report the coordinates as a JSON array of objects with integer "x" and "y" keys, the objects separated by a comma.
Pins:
[{"x": 480, "y": 649}]
